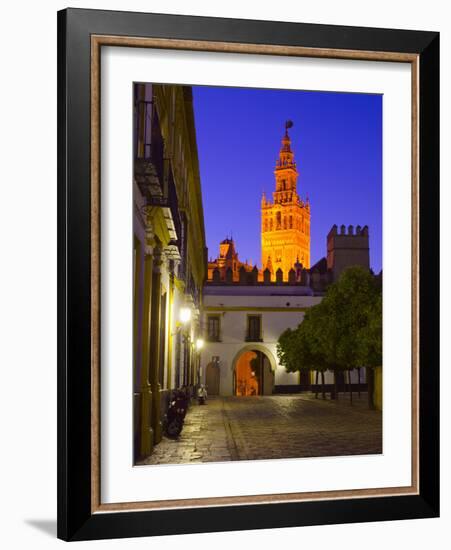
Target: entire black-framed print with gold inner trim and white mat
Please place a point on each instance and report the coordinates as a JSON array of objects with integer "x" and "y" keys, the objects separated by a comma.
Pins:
[{"x": 248, "y": 274}]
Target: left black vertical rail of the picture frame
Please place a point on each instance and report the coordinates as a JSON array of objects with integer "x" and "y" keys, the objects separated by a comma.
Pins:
[{"x": 74, "y": 272}]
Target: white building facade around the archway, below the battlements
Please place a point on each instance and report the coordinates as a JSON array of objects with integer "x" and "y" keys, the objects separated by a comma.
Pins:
[{"x": 238, "y": 319}]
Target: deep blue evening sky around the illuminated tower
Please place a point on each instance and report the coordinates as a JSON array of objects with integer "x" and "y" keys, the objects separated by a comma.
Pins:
[{"x": 337, "y": 142}]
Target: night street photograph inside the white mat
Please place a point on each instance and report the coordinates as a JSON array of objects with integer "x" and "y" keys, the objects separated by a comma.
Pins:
[{"x": 257, "y": 274}]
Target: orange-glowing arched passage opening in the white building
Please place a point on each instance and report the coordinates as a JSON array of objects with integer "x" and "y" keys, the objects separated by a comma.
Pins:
[{"x": 253, "y": 374}]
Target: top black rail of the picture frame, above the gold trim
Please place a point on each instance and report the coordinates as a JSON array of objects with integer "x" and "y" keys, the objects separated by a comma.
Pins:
[{"x": 191, "y": 27}]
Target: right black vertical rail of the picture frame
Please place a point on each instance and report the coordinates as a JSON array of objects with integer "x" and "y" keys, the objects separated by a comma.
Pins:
[{"x": 430, "y": 273}]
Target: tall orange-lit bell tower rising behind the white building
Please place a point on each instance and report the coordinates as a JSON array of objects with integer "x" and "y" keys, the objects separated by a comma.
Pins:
[{"x": 285, "y": 224}]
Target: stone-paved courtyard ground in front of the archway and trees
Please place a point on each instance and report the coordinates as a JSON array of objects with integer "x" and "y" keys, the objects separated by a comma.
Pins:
[{"x": 266, "y": 427}]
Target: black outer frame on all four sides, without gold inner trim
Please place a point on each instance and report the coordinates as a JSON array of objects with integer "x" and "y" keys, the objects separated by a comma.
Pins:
[{"x": 75, "y": 521}]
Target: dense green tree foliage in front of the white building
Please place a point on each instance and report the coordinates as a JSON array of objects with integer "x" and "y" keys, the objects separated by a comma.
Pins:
[{"x": 342, "y": 332}]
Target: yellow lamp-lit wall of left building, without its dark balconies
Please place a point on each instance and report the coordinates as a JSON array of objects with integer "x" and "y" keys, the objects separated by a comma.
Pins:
[{"x": 176, "y": 120}]
